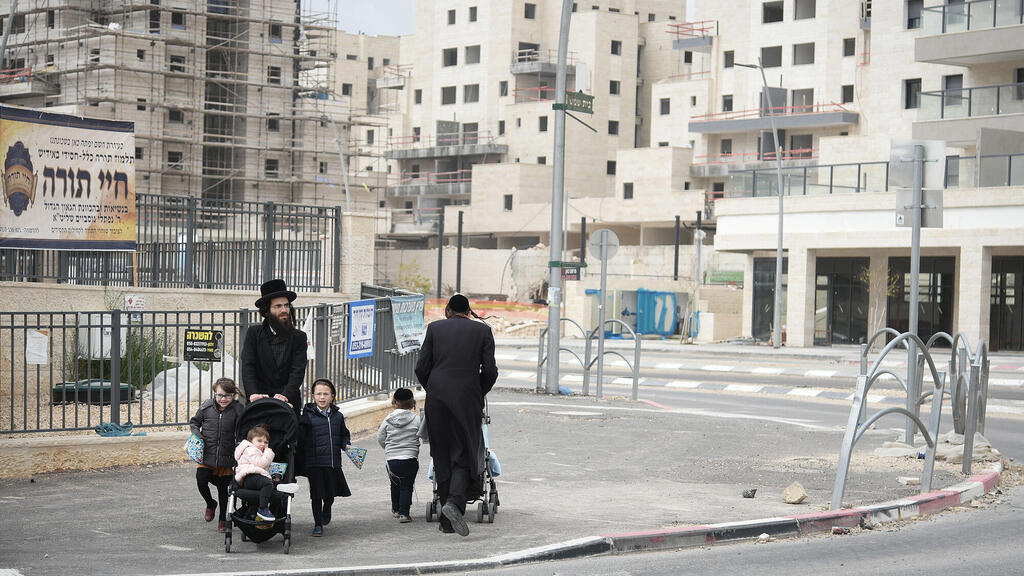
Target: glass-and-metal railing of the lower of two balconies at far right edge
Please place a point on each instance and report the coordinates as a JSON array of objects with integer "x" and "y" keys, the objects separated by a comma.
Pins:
[{"x": 967, "y": 103}]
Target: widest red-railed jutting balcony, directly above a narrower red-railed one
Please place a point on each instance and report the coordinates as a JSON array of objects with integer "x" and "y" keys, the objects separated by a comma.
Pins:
[{"x": 809, "y": 116}]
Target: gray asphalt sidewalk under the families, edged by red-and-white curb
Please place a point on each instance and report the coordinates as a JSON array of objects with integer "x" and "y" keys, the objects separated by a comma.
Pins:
[{"x": 580, "y": 477}]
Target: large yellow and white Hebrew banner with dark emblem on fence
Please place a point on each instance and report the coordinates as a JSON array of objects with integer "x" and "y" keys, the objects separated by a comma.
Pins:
[{"x": 69, "y": 183}]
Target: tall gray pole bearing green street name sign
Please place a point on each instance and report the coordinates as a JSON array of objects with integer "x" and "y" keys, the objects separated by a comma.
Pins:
[{"x": 556, "y": 238}]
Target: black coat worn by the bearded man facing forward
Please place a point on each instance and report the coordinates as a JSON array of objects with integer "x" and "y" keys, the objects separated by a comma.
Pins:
[{"x": 261, "y": 374}]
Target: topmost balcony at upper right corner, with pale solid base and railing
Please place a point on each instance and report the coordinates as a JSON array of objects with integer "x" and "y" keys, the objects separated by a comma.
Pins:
[{"x": 972, "y": 33}]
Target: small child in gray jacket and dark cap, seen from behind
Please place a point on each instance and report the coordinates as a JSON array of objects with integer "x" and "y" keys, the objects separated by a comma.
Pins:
[{"x": 399, "y": 436}]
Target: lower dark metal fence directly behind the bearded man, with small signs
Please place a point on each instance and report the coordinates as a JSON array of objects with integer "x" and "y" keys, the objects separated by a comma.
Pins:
[{"x": 58, "y": 368}]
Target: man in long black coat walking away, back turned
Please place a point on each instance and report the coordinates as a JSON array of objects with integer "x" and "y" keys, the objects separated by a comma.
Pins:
[{"x": 456, "y": 368}]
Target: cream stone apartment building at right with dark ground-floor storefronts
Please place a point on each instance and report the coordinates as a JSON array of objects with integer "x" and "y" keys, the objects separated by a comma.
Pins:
[{"x": 845, "y": 81}]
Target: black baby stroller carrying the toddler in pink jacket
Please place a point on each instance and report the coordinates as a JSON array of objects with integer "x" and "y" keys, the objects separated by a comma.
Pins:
[{"x": 279, "y": 419}]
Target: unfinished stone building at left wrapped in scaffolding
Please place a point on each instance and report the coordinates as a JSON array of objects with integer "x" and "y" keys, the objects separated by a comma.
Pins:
[{"x": 231, "y": 99}]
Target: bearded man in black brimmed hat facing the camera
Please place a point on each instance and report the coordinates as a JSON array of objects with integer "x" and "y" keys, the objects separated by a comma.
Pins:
[{"x": 274, "y": 356}]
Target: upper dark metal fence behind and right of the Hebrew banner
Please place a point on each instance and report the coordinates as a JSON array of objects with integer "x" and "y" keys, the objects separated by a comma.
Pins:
[{"x": 185, "y": 242}]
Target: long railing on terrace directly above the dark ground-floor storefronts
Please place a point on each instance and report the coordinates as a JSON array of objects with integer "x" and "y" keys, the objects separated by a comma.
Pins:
[{"x": 961, "y": 172}]
